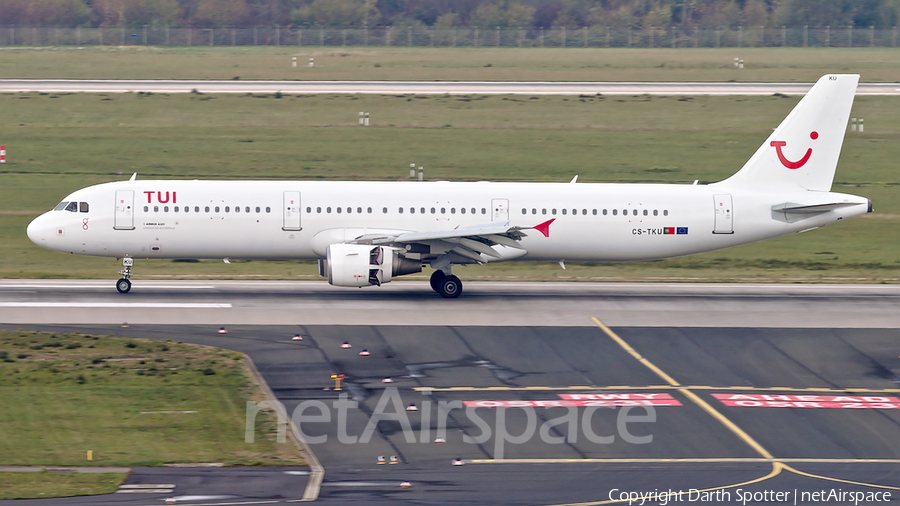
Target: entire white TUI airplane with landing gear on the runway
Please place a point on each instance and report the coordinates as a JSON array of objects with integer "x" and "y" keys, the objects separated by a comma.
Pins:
[{"x": 368, "y": 233}]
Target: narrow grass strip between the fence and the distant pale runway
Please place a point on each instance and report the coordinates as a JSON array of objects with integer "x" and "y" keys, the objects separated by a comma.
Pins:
[{"x": 450, "y": 64}]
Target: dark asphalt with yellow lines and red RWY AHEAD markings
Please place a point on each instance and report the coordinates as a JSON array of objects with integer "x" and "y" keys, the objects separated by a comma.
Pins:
[{"x": 778, "y": 449}]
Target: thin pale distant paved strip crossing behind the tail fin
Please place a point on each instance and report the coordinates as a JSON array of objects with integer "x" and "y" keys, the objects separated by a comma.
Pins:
[{"x": 423, "y": 87}]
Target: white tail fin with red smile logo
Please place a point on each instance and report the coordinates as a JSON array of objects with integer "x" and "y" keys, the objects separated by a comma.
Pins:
[{"x": 804, "y": 149}]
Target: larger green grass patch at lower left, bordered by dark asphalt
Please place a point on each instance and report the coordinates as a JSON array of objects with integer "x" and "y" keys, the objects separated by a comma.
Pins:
[{"x": 65, "y": 394}]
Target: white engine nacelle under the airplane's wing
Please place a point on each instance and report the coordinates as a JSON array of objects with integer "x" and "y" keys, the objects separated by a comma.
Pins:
[{"x": 363, "y": 265}]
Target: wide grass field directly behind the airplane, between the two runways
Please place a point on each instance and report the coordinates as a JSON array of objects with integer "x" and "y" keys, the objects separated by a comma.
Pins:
[{"x": 58, "y": 143}]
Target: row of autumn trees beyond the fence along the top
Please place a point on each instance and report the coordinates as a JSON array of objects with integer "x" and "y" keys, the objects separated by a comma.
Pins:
[{"x": 448, "y": 14}]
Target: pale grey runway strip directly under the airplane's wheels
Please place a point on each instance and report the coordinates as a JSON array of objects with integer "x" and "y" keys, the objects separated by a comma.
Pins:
[{"x": 482, "y": 304}]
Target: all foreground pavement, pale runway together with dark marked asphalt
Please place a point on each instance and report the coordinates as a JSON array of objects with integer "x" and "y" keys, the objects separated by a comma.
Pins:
[{"x": 544, "y": 399}]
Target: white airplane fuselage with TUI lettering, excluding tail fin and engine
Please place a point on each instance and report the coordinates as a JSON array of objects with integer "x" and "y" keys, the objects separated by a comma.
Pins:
[{"x": 262, "y": 220}]
